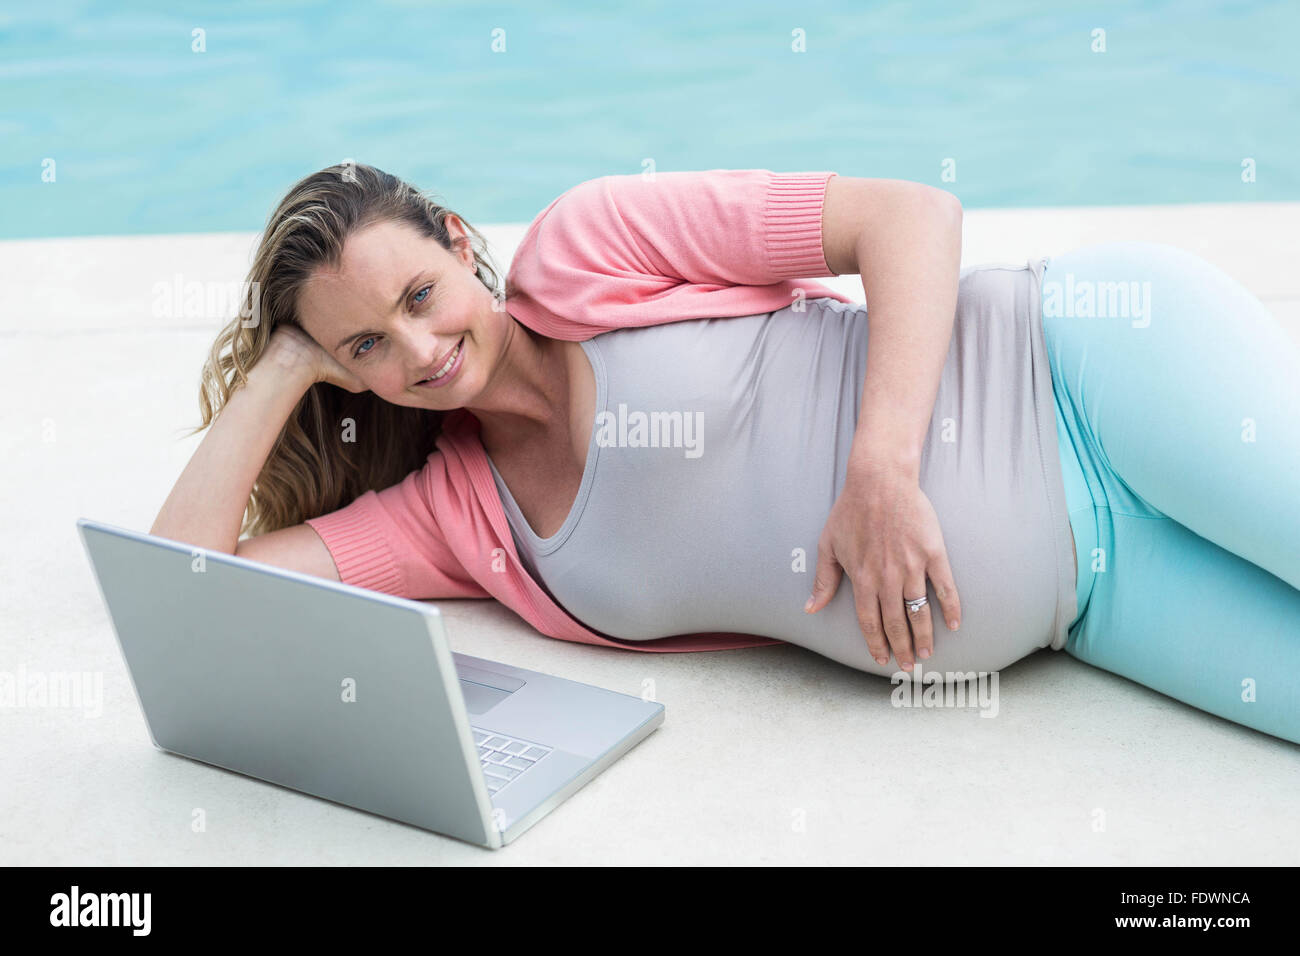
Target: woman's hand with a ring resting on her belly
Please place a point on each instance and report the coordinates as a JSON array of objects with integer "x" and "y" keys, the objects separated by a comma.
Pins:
[{"x": 885, "y": 533}]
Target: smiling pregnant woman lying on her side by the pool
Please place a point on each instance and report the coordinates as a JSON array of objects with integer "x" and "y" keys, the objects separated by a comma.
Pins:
[{"x": 661, "y": 436}]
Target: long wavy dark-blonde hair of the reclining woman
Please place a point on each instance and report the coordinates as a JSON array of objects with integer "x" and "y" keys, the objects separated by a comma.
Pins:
[{"x": 311, "y": 470}]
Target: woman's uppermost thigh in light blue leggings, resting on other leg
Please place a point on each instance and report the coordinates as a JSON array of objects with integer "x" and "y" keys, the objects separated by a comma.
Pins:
[{"x": 1185, "y": 391}]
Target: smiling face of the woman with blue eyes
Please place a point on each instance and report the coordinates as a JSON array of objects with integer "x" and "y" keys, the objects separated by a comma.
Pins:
[{"x": 398, "y": 309}]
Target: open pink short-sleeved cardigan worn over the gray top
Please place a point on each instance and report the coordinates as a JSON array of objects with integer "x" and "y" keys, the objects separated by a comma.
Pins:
[{"x": 612, "y": 253}]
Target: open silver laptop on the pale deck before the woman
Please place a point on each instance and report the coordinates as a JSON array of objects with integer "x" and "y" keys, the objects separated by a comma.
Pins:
[{"x": 348, "y": 694}]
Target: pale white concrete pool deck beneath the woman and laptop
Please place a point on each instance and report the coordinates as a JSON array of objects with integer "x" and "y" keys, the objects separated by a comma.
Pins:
[{"x": 792, "y": 759}]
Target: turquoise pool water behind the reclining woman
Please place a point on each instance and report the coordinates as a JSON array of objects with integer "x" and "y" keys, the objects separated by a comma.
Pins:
[{"x": 150, "y": 137}]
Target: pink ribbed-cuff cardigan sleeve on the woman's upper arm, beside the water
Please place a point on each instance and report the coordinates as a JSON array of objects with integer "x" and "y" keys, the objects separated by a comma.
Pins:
[{"x": 627, "y": 252}]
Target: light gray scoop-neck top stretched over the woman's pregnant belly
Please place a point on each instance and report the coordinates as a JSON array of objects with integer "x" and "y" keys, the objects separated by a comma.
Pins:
[{"x": 720, "y": 447}]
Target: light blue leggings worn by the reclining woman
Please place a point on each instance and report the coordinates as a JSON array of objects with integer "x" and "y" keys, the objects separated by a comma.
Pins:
[{"x": 1178, "y": 416}]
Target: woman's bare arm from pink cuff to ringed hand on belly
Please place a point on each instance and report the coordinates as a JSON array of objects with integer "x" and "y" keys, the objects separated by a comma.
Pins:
[{"x": 905, "y": 240}]
